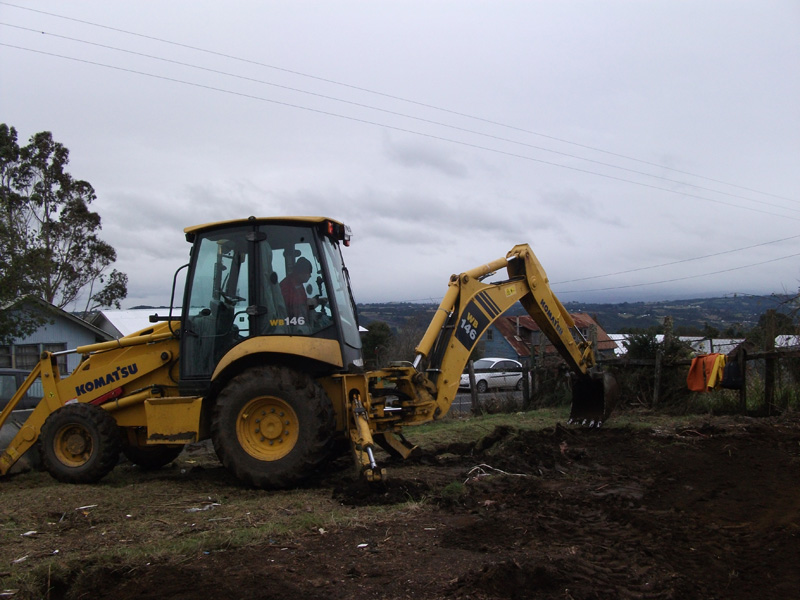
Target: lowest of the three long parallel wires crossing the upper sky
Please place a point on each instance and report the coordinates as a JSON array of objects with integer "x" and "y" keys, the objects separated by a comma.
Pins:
[{"x": 402, "y": 129}]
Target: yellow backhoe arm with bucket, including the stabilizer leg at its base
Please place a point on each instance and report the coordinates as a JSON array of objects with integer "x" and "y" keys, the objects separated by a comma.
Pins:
[{"x": 416, "y": 394}]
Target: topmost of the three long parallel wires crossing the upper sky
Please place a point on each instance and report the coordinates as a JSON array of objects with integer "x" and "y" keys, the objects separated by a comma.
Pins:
[{"x": 393, "y": 97}]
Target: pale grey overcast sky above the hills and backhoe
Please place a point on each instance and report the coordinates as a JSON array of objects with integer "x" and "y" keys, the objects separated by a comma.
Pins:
[{"x": 644, "y": 149}]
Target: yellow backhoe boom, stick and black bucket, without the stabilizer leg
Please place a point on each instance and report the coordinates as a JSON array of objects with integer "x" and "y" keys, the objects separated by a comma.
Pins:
[{"x": 469, "y": 307}]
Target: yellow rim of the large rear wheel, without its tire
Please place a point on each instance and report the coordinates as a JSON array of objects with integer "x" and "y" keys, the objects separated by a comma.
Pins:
[{"x": 267, "y": 428}]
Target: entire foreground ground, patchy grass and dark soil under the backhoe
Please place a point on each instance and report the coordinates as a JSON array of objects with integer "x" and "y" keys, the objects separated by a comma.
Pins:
[{"x": 707, "y": 510}]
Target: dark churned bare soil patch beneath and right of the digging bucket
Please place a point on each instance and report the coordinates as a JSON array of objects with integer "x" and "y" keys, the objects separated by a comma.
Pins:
[{"x": 708, "y": 511}]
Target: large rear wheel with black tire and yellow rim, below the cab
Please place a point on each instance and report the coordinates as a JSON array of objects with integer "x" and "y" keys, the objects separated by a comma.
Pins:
[{"x": 272, "y": 426}]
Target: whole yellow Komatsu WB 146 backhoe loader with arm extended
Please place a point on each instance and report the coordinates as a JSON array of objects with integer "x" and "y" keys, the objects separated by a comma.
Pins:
[{"x": 265, "y": 359}]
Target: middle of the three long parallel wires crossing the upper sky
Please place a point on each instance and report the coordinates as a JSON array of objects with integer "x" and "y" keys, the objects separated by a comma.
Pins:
[{"x": 394, "y": 113}]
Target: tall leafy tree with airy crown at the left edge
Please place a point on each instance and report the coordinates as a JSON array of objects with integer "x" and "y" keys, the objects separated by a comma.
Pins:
[{"x": 50, "y": 245}]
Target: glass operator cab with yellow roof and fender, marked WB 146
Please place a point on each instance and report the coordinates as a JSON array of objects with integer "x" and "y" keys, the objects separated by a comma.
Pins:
[{"x": 277, "y": 284}]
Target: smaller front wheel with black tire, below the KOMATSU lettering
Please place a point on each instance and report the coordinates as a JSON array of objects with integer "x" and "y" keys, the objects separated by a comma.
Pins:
[{"x": 79, "y": 443}]
